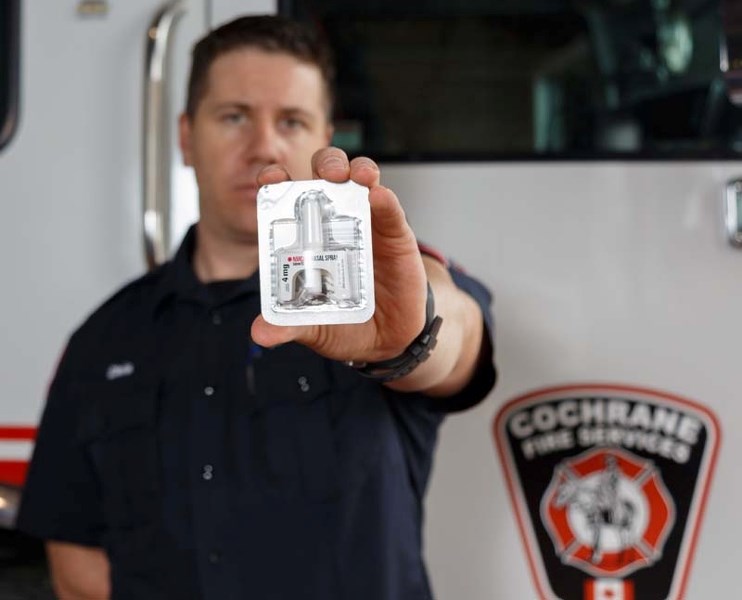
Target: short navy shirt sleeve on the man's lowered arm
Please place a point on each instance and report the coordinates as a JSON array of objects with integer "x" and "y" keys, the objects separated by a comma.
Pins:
[{"x": 61, "y": 497}]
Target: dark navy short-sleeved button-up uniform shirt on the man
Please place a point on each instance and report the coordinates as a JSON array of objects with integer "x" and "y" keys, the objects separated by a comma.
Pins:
[{"x": 209, "y": 468}]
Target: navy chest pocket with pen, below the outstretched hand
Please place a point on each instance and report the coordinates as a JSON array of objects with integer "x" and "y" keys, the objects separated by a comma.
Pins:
[{"x": 291, "y": 443}]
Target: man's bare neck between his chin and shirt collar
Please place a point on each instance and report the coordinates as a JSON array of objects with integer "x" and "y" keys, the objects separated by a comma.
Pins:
[{"x": 217, "y": 258}]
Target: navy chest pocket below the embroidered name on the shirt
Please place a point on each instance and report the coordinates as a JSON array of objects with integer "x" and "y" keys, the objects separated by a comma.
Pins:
[{"x": 118, "y": 429}]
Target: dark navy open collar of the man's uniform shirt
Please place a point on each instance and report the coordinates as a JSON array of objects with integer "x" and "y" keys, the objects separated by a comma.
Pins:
[{"x": 179, "y": 281}]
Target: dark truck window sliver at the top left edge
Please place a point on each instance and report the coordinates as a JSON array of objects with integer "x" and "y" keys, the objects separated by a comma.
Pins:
[{"x": 9, "y": 59}]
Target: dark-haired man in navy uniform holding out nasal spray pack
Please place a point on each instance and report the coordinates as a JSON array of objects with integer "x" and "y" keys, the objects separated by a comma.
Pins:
[{"x": 189, "y": 449}]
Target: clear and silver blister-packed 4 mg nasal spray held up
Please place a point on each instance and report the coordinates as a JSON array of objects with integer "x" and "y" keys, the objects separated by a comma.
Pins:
[{"x": 316, "y": 263}]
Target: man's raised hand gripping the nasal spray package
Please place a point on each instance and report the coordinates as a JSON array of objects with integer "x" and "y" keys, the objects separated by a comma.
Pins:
[{"x": 399, "y": 274}]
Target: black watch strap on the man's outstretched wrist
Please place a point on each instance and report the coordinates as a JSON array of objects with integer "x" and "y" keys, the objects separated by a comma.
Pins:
[{"x": 417, "y": 352}]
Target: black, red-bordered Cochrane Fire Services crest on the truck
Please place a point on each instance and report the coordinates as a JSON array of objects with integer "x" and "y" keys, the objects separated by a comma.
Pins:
[{"x": 609, "y": 485}]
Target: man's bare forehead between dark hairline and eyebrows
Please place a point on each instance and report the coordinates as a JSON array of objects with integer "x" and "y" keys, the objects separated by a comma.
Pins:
[{"x": 265, "y": 79}]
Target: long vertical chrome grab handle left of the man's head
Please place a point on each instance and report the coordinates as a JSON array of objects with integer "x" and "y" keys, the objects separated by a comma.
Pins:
[{"x": 156, "y": 135}]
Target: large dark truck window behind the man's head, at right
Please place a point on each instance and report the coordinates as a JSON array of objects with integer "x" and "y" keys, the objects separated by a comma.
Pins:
[{"x": 528, "y": 79}]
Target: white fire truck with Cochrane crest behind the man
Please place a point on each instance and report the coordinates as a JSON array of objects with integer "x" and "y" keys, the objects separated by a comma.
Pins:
[{"x": 583, "y": 159}]
